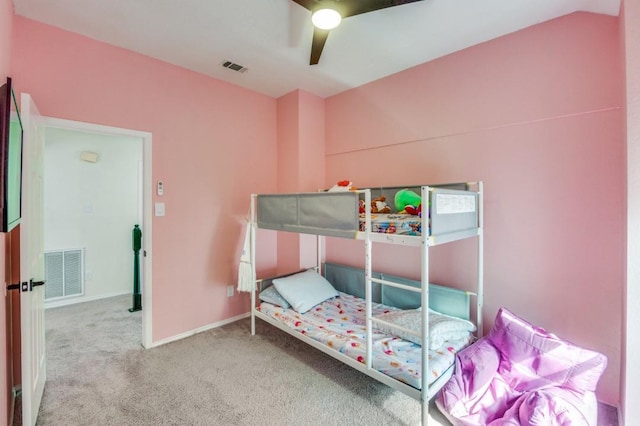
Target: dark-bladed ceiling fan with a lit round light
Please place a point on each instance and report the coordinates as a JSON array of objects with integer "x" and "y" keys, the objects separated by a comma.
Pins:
[{"x": 334, "y": 11}]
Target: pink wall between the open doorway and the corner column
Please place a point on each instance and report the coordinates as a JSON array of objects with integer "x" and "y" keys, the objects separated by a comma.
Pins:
[{"x": 211, "y": 142}]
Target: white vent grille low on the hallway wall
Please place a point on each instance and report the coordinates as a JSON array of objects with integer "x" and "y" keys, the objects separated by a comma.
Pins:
[{"x": 63, "y": 270}]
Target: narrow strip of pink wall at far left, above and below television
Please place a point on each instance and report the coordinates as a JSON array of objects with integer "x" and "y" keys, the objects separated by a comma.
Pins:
[{"x": 6, "y": 38}]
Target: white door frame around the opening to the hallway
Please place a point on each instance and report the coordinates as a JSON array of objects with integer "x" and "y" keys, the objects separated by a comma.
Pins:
[{"x": 147, "y": 191}]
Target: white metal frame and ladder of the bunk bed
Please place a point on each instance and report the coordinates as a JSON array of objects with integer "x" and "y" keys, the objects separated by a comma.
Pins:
[{"x": 443, "y": 204}]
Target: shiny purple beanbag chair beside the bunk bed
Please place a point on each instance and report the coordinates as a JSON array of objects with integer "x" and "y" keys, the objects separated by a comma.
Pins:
[{"x": 520, "y": 374}]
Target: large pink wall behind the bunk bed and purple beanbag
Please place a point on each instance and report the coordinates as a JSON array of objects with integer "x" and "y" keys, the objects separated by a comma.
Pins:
[{"x": 537, "y": 116}]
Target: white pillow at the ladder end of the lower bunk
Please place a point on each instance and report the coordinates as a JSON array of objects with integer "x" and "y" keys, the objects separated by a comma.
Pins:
[{"x": 441, "y": 327}]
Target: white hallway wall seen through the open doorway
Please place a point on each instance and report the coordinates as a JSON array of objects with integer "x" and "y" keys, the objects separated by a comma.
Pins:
[{"x": 93, "y": 205}]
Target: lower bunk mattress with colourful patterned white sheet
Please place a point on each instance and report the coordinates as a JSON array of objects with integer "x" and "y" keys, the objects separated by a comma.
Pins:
[{"x": 339, "y": 323}]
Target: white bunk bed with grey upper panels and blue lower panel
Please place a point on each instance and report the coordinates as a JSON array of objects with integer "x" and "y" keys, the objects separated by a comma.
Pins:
[{"x": 454, "y": 212}]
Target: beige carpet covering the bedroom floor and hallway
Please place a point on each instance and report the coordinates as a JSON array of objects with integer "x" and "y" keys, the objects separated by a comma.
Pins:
[{"x": 99, "y": 375}]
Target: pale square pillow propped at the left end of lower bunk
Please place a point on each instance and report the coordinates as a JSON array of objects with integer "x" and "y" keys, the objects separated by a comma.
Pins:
[{"x": 304, "y": 290}]
